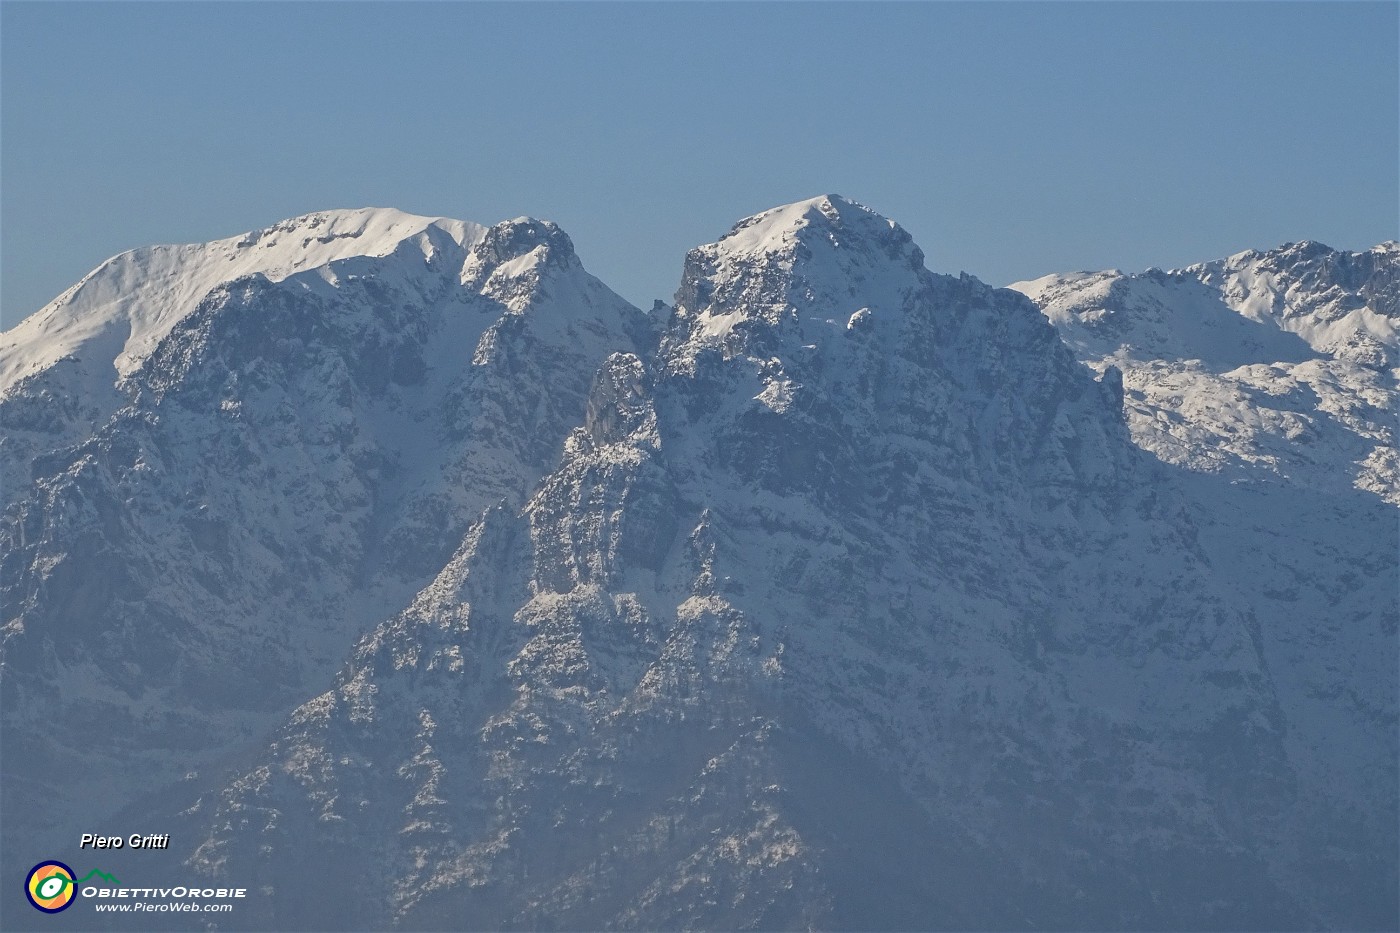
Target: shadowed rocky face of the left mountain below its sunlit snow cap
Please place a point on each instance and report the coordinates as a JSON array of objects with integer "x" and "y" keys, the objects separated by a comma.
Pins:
[{"x": 288, "y": 464}]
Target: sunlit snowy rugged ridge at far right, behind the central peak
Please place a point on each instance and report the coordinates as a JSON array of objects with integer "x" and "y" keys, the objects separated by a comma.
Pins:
[{"x": 1268, "y": 366}]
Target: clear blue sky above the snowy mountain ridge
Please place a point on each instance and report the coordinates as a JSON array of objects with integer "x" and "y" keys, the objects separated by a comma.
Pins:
[{"x": 1011, "y": 141}]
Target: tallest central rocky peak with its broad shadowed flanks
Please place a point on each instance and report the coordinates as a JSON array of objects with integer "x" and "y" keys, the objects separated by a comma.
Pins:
[{"x": 855, "y": 606}]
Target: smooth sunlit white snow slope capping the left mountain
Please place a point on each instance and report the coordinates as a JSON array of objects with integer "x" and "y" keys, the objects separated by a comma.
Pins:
[{"x": 62, "y": 371}]
